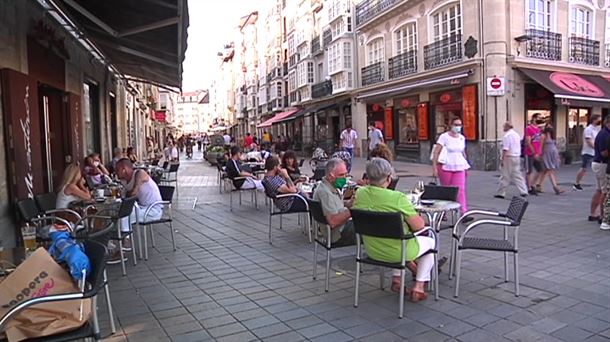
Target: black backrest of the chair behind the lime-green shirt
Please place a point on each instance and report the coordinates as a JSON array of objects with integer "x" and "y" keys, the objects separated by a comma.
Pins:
[{"x": 378, "y": 224}]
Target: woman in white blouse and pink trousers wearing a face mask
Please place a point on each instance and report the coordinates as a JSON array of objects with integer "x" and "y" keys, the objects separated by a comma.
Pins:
[{"x": 451, "y": 167}]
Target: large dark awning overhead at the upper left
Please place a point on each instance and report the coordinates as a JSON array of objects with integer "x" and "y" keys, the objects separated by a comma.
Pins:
[{"x": 144, "y": 40}]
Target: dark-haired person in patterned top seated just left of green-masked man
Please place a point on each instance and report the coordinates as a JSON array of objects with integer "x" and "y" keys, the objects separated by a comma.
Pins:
[{"x": 278, "y": 182}]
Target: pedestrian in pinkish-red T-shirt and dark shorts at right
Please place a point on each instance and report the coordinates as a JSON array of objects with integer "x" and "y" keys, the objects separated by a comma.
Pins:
[{"x": 533, "y": 152}]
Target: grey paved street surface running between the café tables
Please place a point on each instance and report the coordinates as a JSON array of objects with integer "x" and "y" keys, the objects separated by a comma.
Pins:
[{"x": 227, "y": 283}]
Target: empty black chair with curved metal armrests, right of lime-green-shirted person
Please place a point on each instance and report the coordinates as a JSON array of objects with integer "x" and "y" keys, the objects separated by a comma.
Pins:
[{"x": 463, "y": 240}]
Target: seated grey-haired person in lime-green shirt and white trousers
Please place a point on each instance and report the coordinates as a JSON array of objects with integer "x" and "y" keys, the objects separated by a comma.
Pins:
[{"x": 376, "y": 197}]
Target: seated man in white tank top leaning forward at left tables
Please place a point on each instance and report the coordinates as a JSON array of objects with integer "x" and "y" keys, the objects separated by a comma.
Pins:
[{"x": 138, "y": 183}]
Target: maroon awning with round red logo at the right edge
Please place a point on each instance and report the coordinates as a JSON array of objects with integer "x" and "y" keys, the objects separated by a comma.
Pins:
[{"x": 576, "y": 87}]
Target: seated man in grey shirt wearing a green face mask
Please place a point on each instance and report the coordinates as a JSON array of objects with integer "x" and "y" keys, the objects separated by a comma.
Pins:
[{"x": 335, "y": 209}]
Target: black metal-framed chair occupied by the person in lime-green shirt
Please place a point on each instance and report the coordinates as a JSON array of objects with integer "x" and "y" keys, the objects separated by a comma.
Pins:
[{"x": 388, "y": 226}]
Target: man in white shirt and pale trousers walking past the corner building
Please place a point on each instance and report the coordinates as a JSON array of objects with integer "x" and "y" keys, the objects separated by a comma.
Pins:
[{"x": 511, "y": 162}]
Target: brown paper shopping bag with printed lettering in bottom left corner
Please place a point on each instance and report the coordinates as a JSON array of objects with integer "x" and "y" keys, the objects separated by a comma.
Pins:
[{"x": 39, "y": 275}]
